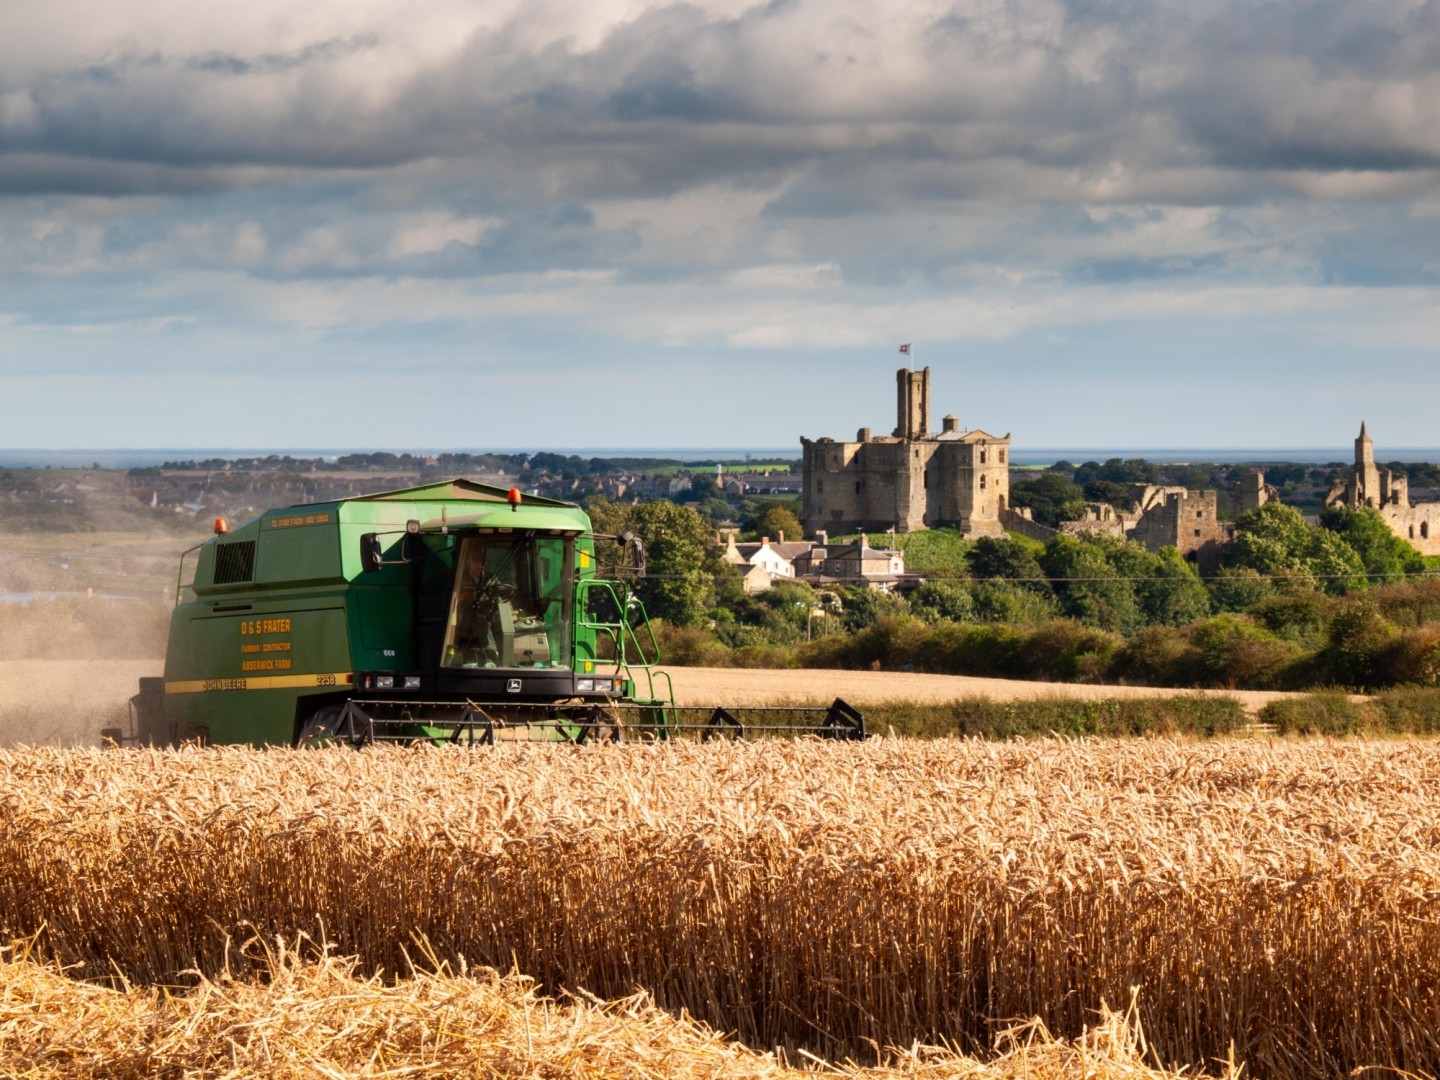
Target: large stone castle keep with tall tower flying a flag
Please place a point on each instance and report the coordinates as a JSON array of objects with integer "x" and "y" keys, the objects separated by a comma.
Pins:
[{"x": 908, "y": 480}]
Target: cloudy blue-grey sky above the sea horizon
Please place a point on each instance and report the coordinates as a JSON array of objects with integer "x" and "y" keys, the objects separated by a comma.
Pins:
[{"x": 472, "y": 224}]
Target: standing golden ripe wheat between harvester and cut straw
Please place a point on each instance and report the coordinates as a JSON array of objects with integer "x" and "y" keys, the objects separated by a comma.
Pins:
[{"x": 1272, "y": 902}]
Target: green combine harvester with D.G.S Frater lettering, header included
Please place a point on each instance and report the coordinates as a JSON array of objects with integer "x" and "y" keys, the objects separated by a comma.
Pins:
[{"x": 449, "y": 613}]
